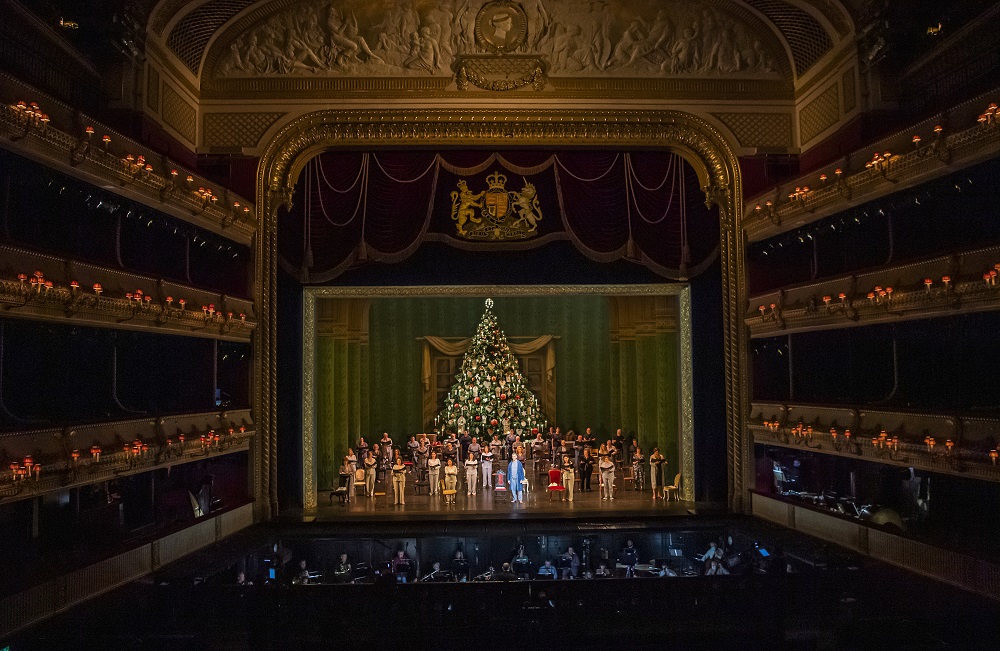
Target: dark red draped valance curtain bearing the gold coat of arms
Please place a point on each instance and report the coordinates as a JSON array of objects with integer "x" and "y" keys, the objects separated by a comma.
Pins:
[{"x": 354, "y": 208}]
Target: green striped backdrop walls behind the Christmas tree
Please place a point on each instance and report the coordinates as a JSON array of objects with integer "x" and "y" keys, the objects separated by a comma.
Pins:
[{"x": 366, "y": 389}]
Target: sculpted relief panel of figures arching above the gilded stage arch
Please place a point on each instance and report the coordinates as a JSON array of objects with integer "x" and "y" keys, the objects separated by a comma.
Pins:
[{"x": 569, "y": 38}]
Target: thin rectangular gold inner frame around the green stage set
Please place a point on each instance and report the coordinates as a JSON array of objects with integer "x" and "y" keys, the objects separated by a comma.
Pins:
[{"x": 310, "y": 295}]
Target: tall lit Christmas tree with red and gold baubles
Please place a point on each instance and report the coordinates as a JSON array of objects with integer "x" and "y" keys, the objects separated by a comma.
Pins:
[{"x": 489, "y": 391}]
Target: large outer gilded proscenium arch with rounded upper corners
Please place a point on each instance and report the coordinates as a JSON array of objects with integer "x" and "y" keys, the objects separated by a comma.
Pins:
[{"x": 690, "y": 136}]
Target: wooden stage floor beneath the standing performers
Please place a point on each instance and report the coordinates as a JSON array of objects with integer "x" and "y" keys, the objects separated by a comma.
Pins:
[{"x": 488, "y": 505}]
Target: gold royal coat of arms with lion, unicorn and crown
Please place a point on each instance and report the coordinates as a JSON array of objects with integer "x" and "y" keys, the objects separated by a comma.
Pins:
[{"x": 496, "y": 213}]
